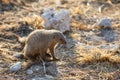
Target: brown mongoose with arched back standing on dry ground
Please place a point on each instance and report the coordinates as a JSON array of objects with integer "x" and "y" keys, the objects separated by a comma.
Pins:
[{"x": 39, "y": 41}]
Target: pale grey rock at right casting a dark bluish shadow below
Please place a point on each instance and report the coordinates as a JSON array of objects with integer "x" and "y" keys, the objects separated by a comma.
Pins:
[{"x": 105, "y": 23}]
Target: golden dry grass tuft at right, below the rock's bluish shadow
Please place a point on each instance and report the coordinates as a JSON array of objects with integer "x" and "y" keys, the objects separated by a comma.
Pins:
[{"x": 99, "y": 55}]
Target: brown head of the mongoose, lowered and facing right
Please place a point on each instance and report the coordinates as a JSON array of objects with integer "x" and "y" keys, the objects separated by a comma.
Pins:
[{"x": 59, "y": 38}]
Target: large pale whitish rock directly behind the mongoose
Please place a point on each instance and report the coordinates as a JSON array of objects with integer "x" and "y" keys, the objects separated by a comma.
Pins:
[{"x": 56, "y": 20}]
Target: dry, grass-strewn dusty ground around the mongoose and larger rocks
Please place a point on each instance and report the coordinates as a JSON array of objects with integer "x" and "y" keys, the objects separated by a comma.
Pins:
[{"x": 91, "y": 53}]
